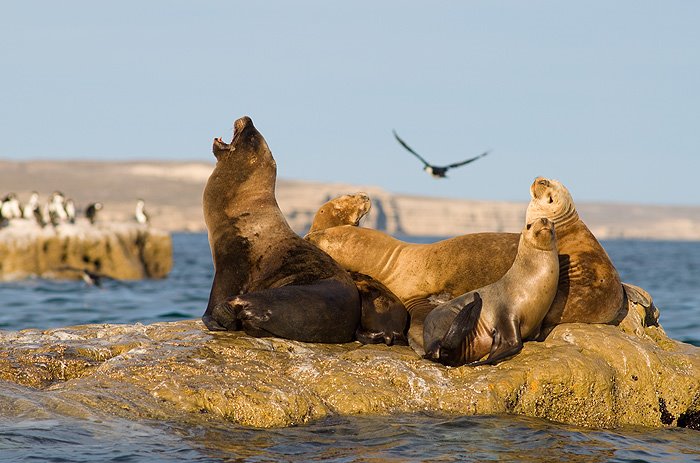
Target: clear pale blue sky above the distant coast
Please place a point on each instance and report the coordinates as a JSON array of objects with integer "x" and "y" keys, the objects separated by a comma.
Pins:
[{"x": 604, "y": 96}]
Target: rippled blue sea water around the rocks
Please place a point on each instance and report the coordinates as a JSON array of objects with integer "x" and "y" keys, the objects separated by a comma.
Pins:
[{"x": 670, "y": 271}]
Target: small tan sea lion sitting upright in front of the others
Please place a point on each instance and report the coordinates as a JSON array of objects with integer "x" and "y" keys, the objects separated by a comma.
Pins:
[{"x": 497, "y": 318}]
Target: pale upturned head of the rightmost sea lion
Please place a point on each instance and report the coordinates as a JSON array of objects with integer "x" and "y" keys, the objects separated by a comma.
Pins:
[{"x": 551, "y": 199}]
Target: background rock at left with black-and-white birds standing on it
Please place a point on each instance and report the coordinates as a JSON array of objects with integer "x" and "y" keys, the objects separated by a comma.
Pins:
[{"x": 124, "y": 251}]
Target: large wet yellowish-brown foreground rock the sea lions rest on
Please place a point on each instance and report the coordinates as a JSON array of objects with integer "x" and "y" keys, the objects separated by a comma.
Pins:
[{"x": 588, "y": 375}]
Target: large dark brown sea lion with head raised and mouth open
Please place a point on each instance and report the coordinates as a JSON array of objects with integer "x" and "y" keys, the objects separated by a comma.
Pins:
[{"x": 267, "y": 280}]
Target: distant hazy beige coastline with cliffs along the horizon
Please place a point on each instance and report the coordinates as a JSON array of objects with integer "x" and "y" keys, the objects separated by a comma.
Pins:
[{"x": 173, "y": 195}]
